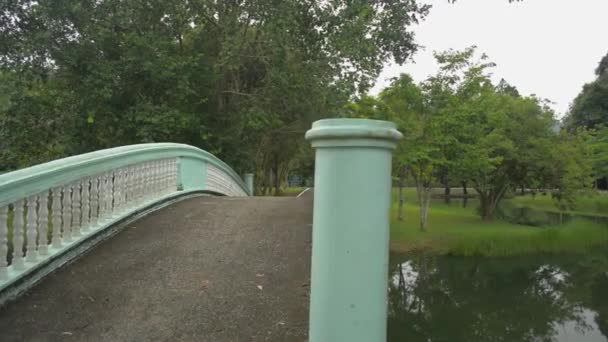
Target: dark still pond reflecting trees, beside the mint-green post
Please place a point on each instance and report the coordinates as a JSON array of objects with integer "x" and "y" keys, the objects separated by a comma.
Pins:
[{"x": 498, "y": 299}]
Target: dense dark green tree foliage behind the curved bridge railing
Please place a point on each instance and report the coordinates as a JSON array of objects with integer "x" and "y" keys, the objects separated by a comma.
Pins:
[{"x": 242, "y": 80}]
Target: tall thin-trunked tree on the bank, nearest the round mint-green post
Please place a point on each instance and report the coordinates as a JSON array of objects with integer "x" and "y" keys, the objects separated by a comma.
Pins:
[{"x": 428, "y": 117}]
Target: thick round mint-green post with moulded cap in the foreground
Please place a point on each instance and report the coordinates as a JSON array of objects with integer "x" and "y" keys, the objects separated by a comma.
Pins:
[{"x": 349, "y": 275}]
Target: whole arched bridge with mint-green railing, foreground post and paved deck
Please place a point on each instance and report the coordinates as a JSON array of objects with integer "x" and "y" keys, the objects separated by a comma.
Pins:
[{"x": 165, "y": 242}]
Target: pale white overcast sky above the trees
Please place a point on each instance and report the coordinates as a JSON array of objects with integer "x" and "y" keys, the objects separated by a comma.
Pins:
[{"x": 545, "y": 47}]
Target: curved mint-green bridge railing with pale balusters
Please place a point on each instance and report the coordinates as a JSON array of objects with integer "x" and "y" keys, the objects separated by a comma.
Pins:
[{"x": 47, "y": 209}]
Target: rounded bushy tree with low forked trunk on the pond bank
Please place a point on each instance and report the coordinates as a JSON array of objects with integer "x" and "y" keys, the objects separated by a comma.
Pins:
[{"x": 508, "y": 145}]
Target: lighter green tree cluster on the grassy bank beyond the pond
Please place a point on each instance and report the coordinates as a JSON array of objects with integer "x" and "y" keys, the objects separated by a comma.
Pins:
[{"x": 460, "y": 127}]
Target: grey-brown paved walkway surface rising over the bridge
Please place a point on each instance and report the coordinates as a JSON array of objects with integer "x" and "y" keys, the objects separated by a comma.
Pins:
[{"x": 204, "y": 269}]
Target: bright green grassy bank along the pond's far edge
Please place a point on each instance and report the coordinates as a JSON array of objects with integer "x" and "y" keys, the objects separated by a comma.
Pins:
[{"x": 459, "y": 231}]
